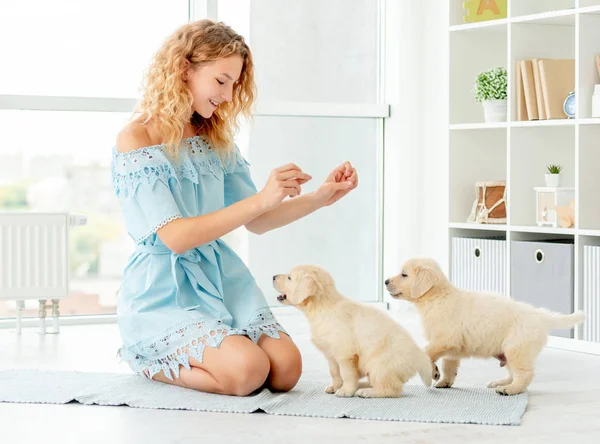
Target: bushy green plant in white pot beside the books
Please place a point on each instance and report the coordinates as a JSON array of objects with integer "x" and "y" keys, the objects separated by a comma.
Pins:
[{"x": 490, "y": 90}]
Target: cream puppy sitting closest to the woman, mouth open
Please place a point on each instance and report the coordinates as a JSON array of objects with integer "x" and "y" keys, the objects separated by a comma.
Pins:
[{"x": 357, "y": 340}]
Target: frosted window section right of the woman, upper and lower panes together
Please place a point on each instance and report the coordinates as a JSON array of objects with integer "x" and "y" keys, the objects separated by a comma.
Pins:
[{"x": 323, "y": 61}]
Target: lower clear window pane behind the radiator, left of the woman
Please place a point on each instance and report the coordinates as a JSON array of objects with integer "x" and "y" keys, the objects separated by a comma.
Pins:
[{"x": 60, "y": 161}]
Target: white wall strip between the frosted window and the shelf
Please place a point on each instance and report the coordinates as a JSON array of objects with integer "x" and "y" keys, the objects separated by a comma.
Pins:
[{"x": 416, "y": 154}]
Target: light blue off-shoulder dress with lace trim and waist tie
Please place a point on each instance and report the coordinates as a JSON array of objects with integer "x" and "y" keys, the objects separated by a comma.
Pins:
[{"x": 171, "y": 306}]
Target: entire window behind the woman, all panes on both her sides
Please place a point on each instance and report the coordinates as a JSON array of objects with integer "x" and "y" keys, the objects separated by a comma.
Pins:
[{"x": 318, "y": 82}]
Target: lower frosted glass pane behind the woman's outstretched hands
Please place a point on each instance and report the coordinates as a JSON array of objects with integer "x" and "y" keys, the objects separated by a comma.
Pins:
[{"x": 341, "y": 238}]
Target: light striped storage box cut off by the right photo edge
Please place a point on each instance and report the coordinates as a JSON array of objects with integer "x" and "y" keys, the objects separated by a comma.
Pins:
[{"x": 591, "y": 293}]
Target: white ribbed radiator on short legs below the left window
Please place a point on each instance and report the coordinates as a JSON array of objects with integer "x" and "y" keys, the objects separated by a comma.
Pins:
[{"x": 34, "y": 259}]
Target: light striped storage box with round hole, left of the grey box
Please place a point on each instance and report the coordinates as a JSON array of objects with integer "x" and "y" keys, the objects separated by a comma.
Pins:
[{"x": 479, "y": 264}]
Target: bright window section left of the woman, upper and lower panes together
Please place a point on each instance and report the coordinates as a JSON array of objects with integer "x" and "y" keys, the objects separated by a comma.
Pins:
[{"x": 58, "y": 160}]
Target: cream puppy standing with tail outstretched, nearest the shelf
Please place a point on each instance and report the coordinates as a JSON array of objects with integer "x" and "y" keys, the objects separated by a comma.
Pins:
[{"x": 461, "y": 324}]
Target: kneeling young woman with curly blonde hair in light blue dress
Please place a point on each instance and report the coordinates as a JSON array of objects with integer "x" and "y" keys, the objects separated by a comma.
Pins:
[{"x": 190, "y": 313}]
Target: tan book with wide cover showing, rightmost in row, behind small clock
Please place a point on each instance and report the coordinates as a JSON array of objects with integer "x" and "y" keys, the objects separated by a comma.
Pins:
[{"x": 558, "y": 80}]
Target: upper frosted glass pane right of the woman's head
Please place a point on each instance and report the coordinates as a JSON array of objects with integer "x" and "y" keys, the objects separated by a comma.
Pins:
[{"x": 321, "y": 52}]
